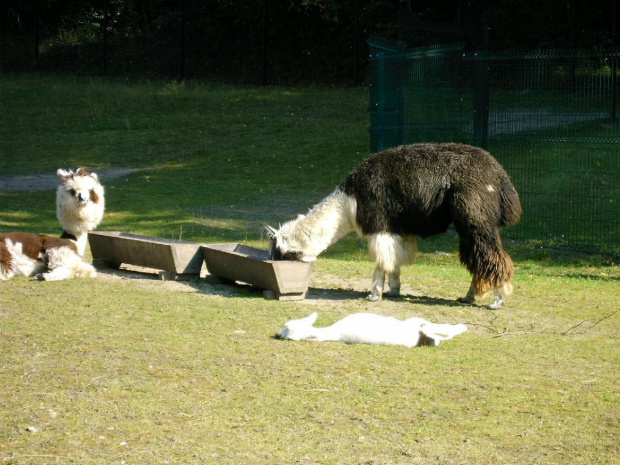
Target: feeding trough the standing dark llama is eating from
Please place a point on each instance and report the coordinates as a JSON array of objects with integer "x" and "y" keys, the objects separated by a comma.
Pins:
[{"x": 283, "y": 280}]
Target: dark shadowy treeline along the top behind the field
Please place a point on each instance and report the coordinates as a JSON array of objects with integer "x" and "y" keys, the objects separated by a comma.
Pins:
[{"x": 276, "y": 41}]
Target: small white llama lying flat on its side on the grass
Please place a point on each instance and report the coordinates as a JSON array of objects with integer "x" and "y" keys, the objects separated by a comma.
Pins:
[{"x": 368, "y": 328}]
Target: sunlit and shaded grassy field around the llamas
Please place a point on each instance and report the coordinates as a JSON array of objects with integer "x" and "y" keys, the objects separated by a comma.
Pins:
[{"x": 126, "y": 369}]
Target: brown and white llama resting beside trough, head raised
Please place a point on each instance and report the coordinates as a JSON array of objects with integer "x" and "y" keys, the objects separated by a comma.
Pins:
[{"x": 79, "y": 208}]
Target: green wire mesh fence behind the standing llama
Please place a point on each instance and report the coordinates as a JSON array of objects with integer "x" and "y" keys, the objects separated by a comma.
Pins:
[{"x": 550, "y": 118}]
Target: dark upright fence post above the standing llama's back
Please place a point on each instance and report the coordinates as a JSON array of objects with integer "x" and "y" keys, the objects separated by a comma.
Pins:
[{"x": 481, "y": 95}]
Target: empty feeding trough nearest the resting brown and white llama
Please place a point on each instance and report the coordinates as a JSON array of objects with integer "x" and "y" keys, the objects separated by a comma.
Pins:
[{"x": 176, "y": 259}]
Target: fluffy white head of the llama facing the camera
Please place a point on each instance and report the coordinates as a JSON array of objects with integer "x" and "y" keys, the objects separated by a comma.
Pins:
[{"x": 79, "y": 201}]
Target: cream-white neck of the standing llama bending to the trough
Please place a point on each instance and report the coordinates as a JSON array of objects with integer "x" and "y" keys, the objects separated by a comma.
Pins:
[{"x": 327, "y": 222}]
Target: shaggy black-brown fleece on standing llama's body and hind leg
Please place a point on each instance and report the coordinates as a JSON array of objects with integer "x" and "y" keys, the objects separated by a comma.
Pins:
[{"x": 422, "y": 189}]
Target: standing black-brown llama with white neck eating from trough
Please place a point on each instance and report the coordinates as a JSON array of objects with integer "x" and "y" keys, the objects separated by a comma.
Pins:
[{"x": 409, "y": 191}]
